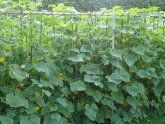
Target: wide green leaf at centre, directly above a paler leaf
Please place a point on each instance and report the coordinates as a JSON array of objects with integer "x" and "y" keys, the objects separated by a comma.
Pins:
[{"x": 93, "y": 69}]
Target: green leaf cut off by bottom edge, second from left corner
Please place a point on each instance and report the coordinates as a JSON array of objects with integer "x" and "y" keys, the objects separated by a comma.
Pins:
[{"x": 34, "y": 119}]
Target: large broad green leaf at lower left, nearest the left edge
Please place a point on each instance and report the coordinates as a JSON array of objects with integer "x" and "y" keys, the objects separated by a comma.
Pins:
[{"x": 16, "y": 99}]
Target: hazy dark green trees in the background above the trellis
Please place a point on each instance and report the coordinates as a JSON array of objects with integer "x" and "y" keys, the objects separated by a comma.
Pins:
[{"x": 95, "y": 5}]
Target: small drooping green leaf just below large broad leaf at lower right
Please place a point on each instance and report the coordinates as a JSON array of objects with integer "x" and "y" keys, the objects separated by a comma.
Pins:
[{"x": 132, "y": 101}]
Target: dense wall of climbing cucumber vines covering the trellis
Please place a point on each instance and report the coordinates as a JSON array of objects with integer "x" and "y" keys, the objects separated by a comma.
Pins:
[{"x": 62, "y": 69}]
